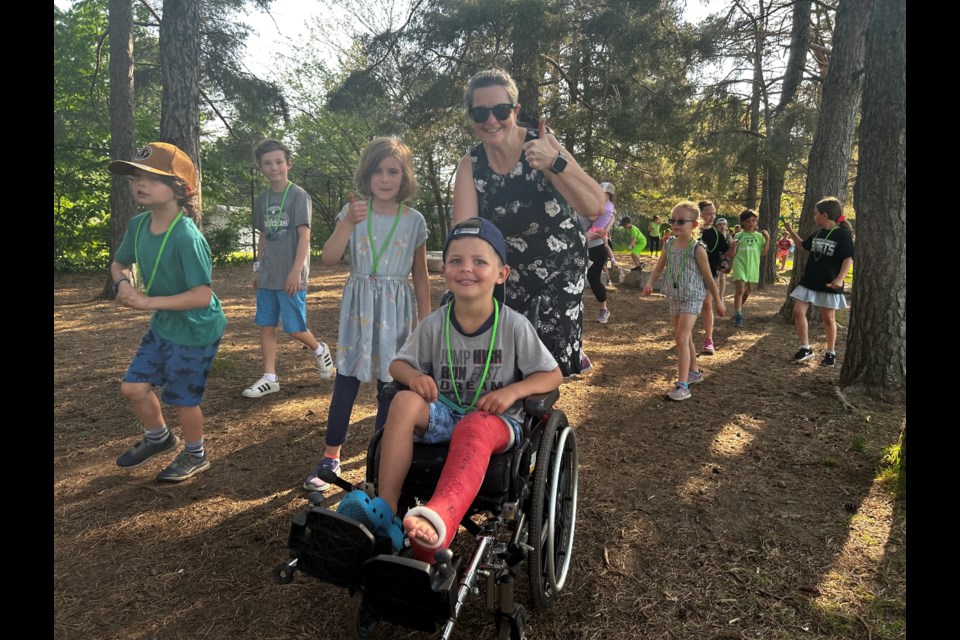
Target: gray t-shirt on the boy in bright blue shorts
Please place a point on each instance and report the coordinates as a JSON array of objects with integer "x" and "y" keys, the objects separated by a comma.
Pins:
[{"x": 282, "y": 235}]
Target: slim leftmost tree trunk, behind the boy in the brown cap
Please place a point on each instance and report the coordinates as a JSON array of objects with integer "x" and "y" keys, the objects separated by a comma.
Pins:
[{"x": 122, "y": 128}]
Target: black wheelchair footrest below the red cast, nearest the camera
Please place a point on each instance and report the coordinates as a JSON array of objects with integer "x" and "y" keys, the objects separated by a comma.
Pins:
[{"x": 409, "y": 592}]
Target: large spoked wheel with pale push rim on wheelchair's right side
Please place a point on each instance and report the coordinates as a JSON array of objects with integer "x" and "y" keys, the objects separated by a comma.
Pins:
[{"x": 553, "y": 512}]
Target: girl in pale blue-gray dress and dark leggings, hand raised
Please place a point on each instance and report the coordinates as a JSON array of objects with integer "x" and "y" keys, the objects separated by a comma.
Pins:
[{"x": 388, "y": 242}]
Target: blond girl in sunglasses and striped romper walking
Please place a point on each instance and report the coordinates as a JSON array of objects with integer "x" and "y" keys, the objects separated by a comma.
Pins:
[{"x": 687, "y": 278}]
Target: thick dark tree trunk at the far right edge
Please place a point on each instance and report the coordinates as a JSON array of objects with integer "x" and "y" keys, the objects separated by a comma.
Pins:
[{"x": 876, "y": 358}]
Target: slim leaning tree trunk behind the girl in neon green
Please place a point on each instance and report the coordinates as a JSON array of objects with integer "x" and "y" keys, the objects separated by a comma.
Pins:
[{"x": 778, "y": 152}]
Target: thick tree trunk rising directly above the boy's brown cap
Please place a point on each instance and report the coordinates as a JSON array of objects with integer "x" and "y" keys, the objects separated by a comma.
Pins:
[{"x": 180, "y": 67}]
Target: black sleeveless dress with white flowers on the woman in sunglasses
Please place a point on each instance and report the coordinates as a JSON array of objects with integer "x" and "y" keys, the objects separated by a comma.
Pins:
[{"x": 546, "y": 251}]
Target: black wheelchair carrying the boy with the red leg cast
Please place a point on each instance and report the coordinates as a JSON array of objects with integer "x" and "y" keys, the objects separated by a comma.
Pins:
[{"x": 528, "y": 507}]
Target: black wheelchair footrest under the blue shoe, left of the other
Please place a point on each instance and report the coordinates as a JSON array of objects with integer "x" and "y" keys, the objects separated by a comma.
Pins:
[{"x": 332, "y": 547}]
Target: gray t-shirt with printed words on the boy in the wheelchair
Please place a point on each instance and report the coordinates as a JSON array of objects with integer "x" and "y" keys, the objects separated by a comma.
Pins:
[{"x": 517, "y": 353}]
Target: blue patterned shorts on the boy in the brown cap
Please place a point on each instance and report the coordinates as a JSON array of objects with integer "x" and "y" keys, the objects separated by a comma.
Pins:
[{"x": 181, "y": 370}]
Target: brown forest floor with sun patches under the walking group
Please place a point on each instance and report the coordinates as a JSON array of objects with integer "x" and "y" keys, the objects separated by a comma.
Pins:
[{"x": 749, "y": 511}]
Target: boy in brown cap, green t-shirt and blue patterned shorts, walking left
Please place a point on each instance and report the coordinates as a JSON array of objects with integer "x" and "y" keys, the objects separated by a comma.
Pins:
[{"x": 175, "y": 273}]
